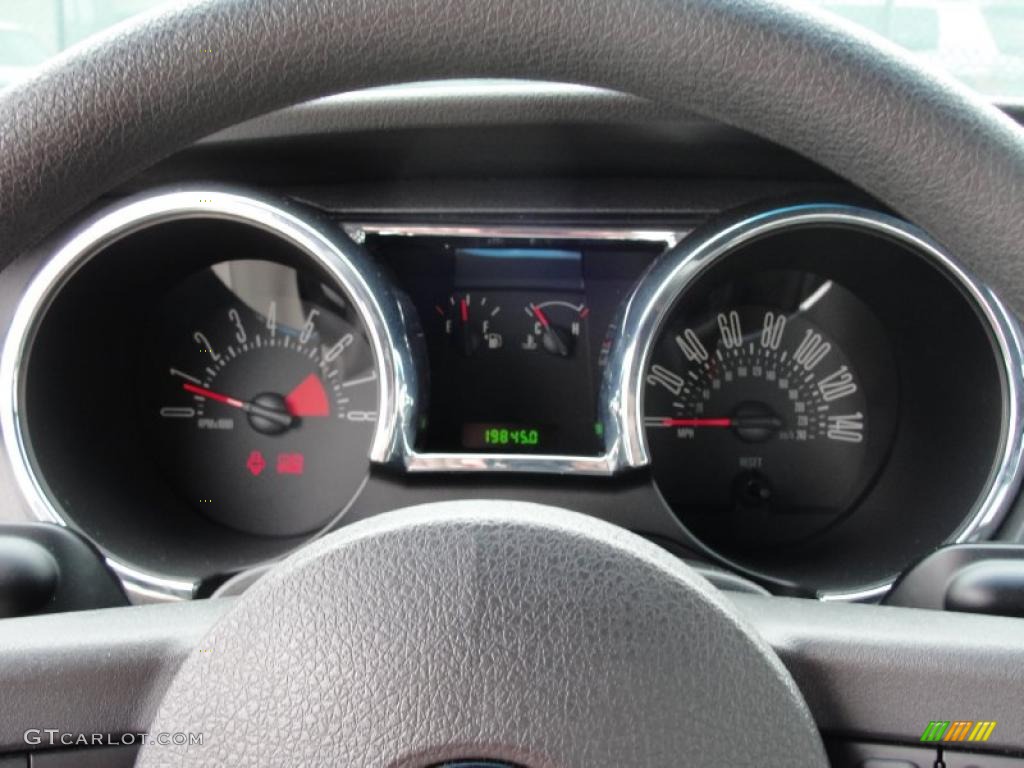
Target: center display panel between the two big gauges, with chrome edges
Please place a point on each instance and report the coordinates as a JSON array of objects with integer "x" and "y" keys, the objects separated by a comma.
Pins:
[{"x": 518, "y": 324}]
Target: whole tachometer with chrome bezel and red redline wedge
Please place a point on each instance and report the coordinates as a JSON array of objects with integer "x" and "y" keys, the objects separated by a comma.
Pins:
[{"x": 208, "y": 376}]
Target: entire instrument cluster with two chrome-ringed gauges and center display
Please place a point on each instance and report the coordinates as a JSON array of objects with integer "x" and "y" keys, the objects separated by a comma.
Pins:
[{"x": 810, "y": 396}]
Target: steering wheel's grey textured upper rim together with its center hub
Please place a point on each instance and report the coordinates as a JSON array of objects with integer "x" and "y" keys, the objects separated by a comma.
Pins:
[{"x": 498, "y": 631}]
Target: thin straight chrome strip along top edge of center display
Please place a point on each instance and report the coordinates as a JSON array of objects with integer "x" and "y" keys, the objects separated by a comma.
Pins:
[{"x": 671, "y": 238}]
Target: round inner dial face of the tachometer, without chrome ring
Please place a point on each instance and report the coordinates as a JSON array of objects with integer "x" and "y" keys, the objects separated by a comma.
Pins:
[{"x": 262, "y": 396}]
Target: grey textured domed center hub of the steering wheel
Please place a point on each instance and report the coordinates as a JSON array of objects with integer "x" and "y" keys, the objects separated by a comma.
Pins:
[{"x": 485, "y": 629}]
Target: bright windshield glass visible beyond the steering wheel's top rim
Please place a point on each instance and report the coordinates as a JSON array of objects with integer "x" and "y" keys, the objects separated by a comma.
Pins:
[{"x": 979, "y": 41}]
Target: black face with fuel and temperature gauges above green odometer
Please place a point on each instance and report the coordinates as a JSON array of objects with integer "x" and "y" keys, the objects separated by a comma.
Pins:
[{"x": 513, "y": 373}]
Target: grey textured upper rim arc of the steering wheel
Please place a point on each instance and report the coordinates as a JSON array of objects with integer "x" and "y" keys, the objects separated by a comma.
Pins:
[{"x": 940, "y": 156}]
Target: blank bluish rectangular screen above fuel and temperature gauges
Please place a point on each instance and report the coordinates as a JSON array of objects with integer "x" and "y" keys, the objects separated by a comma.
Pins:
[{"x": 556, "y": 270}]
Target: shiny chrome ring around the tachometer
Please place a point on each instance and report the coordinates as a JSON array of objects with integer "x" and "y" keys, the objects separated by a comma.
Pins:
[{"x": 376, "y": 305}]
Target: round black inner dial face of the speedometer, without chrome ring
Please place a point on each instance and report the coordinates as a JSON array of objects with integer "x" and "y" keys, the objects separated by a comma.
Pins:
[{"x": 766, "y": 409}]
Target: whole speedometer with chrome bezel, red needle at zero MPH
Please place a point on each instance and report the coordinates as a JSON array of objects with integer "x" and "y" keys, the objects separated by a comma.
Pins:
[{"x": 823, "y": 397}]
